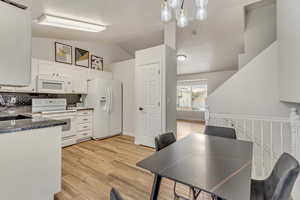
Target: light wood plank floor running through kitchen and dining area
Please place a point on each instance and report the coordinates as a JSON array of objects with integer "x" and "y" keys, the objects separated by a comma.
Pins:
[{"x": 90, "y": 169}]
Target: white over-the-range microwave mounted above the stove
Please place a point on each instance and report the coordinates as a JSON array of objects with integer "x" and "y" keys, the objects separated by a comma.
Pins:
[{"x": 53, "y": 84}]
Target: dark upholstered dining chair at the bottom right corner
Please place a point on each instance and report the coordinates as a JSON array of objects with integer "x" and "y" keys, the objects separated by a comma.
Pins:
[{"x": 279, "y": 185}]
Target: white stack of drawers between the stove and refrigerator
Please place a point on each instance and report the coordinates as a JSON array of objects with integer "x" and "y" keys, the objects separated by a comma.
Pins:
[{"x": 84, "y": 125}]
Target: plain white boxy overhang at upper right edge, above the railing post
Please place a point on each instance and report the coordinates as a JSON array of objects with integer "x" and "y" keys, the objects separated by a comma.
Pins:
[{"x": 288, "y": 33}]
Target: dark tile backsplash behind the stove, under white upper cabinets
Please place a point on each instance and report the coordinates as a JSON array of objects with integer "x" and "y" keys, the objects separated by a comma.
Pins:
[{"x": 24, "y": 99}]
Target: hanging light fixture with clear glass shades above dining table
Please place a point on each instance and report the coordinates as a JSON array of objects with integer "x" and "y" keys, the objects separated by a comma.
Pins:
[{"x": 182, "y": 19}]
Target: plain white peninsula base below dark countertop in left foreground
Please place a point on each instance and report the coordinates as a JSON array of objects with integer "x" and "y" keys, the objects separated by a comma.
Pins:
[{"x": 33, "y": 168}]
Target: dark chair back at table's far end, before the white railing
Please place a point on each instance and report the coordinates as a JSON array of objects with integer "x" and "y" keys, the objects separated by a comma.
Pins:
[{"x": 220, "y": 132}]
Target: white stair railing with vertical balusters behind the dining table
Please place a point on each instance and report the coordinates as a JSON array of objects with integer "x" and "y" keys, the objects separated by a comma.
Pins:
[{"x": 271, "y": 137}]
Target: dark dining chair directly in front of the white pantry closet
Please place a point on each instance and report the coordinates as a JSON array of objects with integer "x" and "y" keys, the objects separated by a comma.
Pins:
[{"x": 161, "y": 142}]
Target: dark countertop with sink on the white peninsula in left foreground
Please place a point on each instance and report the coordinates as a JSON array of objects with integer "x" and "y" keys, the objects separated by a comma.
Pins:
[{"x": 12, "y": 126}]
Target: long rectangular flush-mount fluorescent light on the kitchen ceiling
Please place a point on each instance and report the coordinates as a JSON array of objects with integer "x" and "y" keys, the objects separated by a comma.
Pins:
[{"x": 62, "y": 22}]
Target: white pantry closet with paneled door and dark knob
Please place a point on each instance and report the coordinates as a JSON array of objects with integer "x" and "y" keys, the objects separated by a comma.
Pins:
[{"x": 155, "y": 86}]
